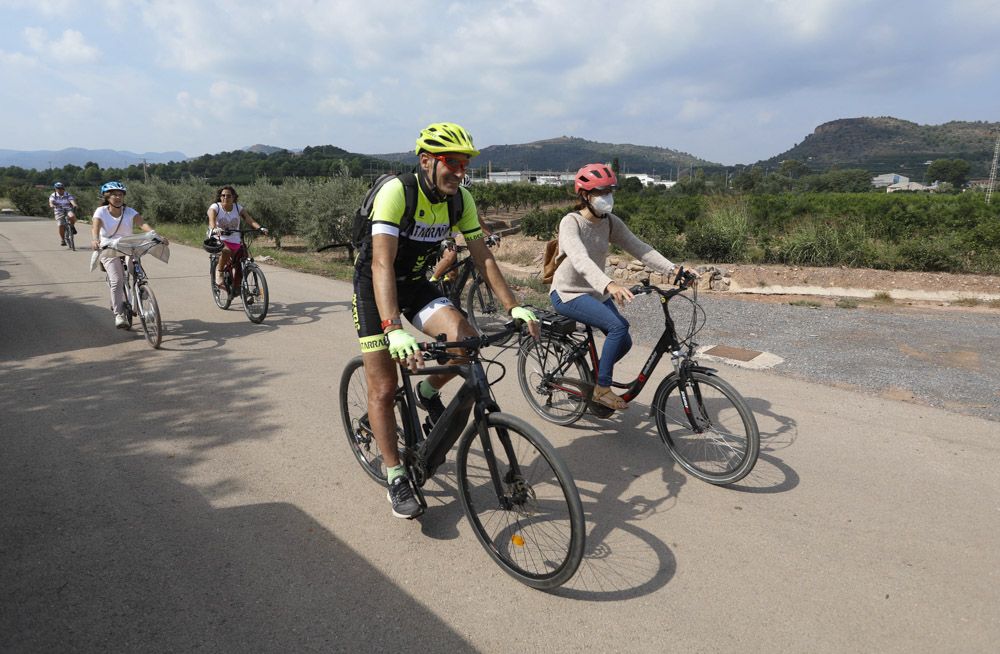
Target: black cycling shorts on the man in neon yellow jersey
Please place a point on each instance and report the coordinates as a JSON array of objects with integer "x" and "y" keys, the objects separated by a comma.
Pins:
[{"x": 418, "y": 300}]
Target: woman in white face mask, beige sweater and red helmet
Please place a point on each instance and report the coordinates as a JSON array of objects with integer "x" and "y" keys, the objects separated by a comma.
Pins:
[{"x": 580, "y": 288}]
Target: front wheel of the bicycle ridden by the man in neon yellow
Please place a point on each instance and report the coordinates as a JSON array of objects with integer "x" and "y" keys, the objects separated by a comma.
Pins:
[{"x": 521, "y": 501}]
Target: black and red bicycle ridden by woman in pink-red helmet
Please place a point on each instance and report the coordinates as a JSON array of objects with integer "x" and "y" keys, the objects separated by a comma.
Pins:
[{"x": 705, "y": 424}]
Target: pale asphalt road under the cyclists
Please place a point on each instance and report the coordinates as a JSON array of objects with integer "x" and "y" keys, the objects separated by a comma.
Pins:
[{"x": 203, "y": 498}]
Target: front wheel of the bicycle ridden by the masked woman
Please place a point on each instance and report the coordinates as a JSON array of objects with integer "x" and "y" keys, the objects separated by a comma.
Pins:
[{"x": 724, "y": 449}]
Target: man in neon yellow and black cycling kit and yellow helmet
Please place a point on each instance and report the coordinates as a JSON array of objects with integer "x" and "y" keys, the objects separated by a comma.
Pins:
[{"x": 390, "y": 282}]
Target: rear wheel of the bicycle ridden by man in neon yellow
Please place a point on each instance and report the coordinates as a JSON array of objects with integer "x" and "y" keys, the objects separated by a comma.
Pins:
[{"x": 354, "y": 413}]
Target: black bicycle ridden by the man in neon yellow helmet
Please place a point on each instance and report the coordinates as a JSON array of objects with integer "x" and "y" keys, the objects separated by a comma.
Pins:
[{"x": 516, "y": 492}]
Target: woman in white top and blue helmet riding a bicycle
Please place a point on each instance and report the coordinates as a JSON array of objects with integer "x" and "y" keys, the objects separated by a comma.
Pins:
[{"x": 111, "y": 220}]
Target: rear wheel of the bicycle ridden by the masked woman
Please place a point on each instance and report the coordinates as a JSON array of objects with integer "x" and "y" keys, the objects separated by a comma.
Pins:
[{"x": 561, "y": 401}]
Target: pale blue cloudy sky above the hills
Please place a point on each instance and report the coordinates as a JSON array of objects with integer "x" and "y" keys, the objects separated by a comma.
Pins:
[{"x": 731, "y": 81}]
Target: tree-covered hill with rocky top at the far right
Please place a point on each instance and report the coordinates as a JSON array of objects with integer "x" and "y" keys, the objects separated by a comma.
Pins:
[{"x": 886, "y": 144}]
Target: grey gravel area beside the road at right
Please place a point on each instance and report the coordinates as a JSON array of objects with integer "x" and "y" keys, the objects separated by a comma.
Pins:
[{"x": 949, "y": 360}]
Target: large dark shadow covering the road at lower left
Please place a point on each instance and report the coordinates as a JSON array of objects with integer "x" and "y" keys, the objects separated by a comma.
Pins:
[{"x": 107, "y": 546}]
